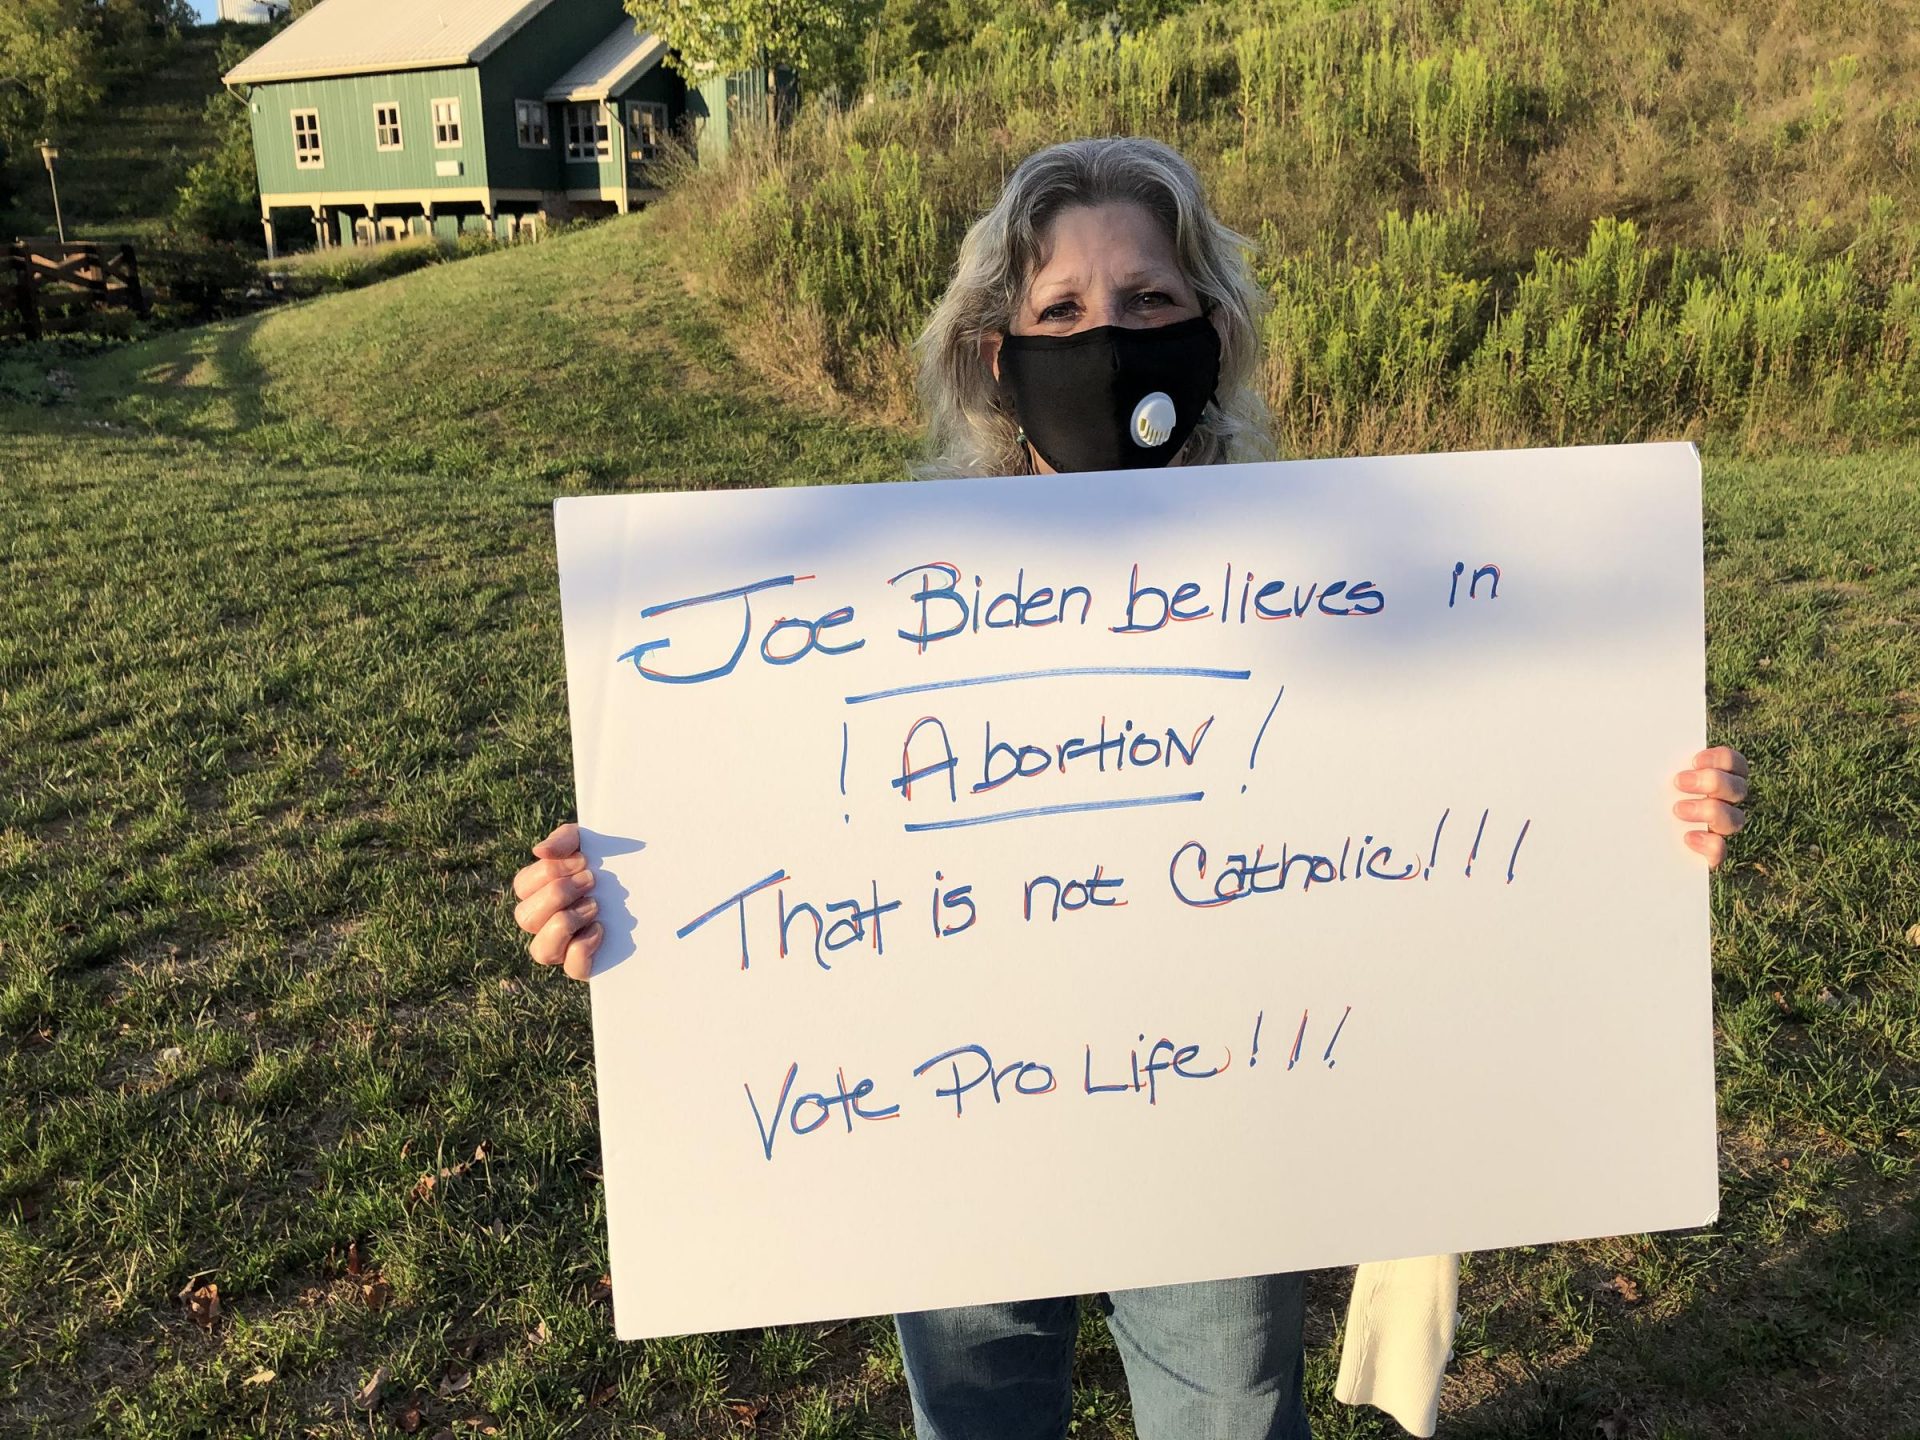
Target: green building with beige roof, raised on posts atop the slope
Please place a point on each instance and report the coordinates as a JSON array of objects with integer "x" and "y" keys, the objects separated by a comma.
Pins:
[{"x": 391, "y": 118}]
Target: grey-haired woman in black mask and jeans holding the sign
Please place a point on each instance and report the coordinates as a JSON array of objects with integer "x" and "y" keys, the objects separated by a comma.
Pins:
[{"x": 1101, "y": 277}]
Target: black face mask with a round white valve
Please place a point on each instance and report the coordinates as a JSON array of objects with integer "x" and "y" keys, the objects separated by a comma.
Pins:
[{"x": 1113, "y": 398}]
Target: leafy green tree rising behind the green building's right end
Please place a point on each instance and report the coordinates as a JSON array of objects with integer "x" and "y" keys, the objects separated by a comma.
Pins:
[{"x": 811, "y": 37}]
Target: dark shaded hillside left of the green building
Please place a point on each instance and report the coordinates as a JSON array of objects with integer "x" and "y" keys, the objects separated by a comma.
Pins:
[{"x": 120, "y": 170}]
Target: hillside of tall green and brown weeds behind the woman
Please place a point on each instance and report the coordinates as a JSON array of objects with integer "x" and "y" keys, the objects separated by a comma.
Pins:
[{"x": 1541, "y": 222}]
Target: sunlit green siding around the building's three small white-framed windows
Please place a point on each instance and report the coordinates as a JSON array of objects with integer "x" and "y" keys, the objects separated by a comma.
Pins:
[{"x": 352, "y": 160}]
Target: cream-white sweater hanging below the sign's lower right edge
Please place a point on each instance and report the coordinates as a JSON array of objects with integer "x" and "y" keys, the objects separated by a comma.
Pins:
[{"x": 1399, "y": 1337}]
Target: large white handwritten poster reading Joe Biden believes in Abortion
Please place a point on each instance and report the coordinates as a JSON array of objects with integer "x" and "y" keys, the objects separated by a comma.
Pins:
[{"x": 1044, "y": 886}]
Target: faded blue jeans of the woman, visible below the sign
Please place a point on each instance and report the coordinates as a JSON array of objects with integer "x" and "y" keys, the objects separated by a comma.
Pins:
[{"x": 1205, "y": 1362}]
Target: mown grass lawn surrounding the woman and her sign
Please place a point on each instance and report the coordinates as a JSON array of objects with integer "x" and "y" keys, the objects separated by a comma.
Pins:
[{"x": 283, "y": 706}]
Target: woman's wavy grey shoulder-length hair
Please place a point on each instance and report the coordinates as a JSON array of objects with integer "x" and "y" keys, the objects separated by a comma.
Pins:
[{"x": 971, "y": 425}]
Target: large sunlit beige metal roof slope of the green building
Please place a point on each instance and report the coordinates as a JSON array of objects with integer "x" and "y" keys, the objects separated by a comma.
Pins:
[{"x": 372, "y": 37}]
